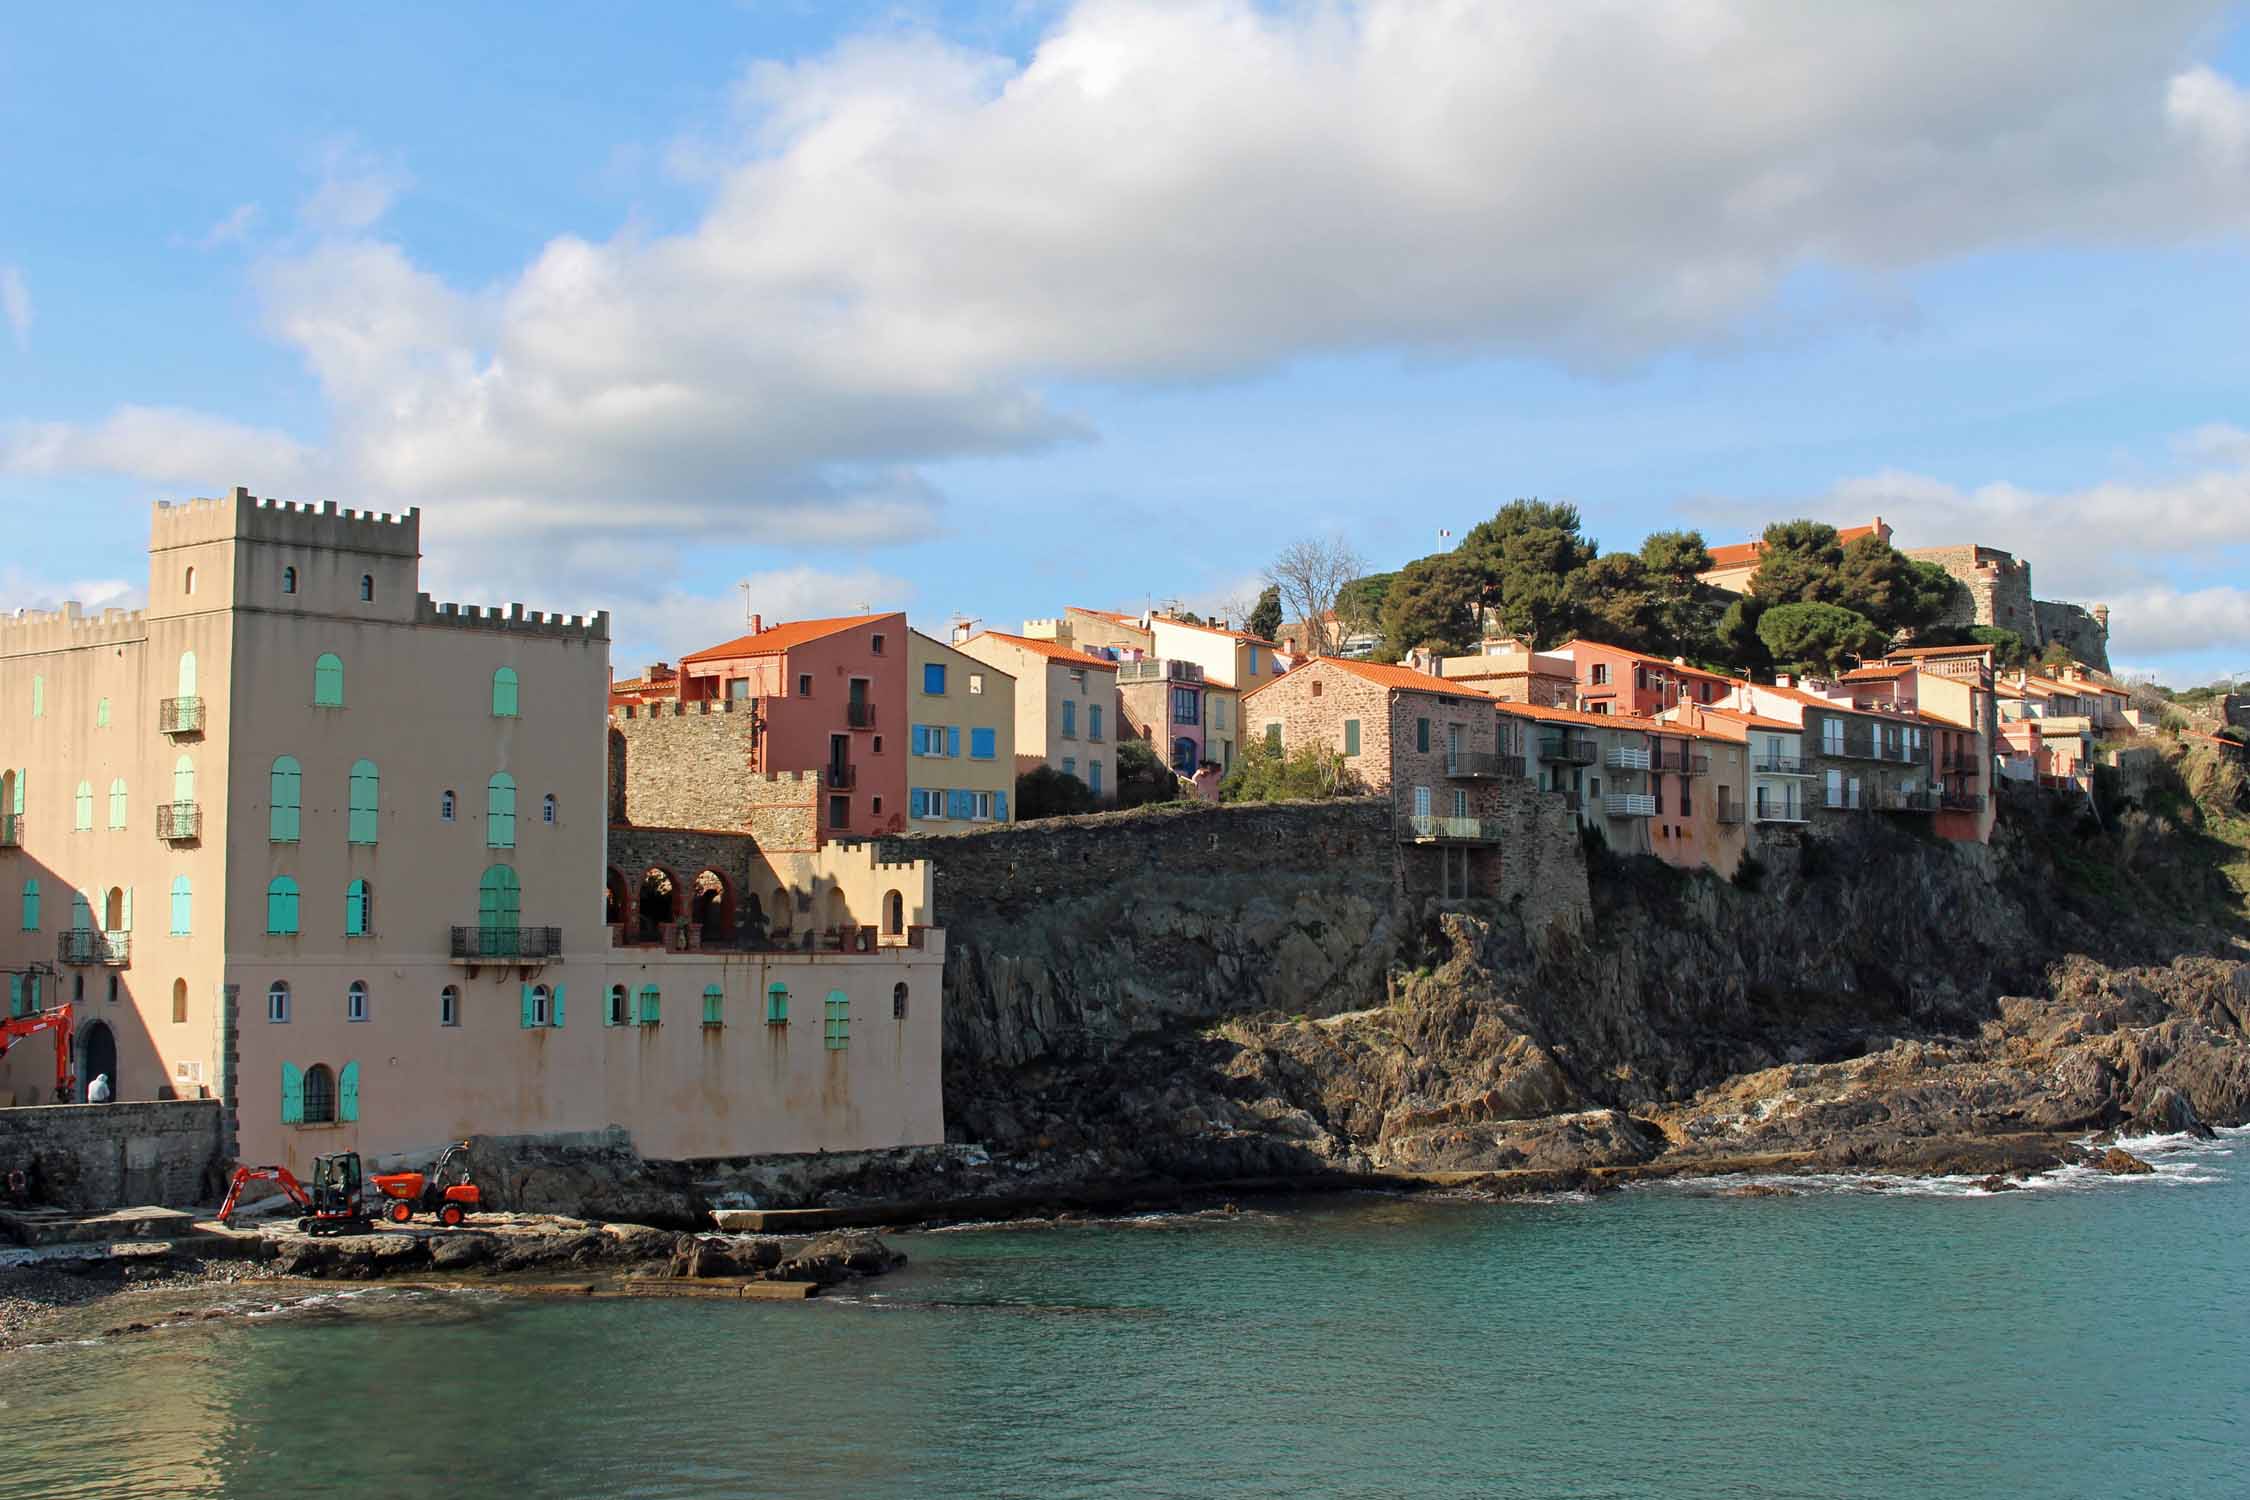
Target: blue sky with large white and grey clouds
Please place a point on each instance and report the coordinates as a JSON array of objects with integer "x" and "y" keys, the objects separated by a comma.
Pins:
[{"x": 1002, "y": 307}]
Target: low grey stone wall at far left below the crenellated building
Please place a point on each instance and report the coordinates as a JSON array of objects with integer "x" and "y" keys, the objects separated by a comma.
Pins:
[{"x": 102, "y": 1157}]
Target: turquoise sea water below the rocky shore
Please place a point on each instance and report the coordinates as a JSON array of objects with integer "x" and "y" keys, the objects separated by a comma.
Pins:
[{"x": 2082, "y": 1339}]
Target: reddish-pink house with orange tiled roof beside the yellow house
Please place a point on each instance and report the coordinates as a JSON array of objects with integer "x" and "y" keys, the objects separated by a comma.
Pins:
[{"x": 831, "y": 698}]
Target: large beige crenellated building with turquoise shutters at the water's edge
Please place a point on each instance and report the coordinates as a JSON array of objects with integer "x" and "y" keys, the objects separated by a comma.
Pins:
[{"x": 343, "y": 871}]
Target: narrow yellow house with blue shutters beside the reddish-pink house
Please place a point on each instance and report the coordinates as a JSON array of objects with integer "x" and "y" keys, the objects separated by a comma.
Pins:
[{"x": 962, "y": 739}]
